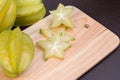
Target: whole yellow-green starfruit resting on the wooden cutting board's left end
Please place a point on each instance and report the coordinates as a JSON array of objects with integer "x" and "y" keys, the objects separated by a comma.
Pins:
[{"x": 16, "y": 51}]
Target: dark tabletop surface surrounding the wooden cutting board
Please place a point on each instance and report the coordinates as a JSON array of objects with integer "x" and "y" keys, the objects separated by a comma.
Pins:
[{"x": 106, "y": 12}]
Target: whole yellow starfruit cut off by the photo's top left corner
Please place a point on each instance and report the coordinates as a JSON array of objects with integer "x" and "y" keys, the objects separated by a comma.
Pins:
[{"x": 7, "y": 14}]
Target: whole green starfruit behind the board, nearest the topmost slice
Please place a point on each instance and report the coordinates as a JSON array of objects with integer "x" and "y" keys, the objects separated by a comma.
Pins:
[{"x": 29, "y": 12}]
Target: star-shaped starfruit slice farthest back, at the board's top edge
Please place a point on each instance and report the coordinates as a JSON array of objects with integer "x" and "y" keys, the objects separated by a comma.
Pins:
[{"x": 61, "y": 15}]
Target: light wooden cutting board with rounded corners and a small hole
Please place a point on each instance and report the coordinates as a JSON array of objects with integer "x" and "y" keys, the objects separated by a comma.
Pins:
[{"x": 93, "y": 43}]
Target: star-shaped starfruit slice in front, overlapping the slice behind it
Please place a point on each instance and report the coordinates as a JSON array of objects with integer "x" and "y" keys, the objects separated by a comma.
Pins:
[{"x": 53, "y": 47}]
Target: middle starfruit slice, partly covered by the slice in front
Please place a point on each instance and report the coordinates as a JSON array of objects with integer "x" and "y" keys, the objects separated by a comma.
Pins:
[{"x": 51, "y": 33}]
